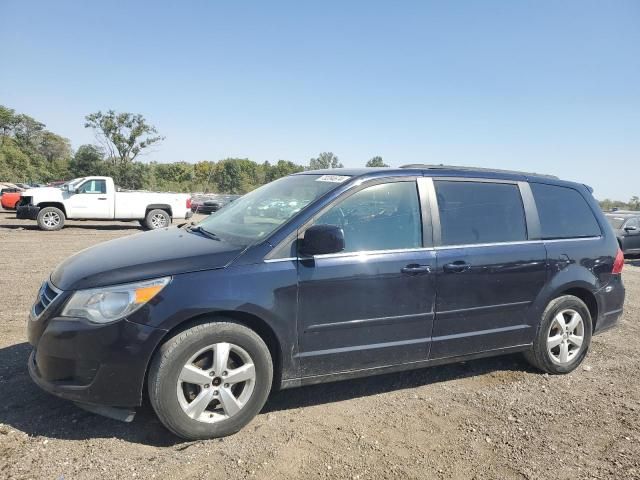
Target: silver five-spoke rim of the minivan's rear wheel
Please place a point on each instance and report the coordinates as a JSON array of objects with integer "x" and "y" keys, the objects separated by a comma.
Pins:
[{"x": 565, "y": 337}]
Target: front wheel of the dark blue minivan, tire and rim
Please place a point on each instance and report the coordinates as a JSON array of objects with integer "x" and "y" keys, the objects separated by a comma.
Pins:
[{"x": 197, "y": 411}]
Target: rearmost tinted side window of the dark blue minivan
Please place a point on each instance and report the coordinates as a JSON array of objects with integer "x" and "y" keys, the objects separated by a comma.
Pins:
[{"x": 564, "y": 212}]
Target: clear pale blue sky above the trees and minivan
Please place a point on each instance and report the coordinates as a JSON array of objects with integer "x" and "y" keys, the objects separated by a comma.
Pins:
[{"x": 552, "y": 87}]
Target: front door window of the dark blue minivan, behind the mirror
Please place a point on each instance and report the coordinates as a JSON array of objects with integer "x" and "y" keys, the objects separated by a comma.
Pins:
[{"x": 380, "y": 217}]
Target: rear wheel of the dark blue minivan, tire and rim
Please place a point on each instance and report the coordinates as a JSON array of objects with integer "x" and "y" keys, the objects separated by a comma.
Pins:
[{"x": 555, "y": 348}]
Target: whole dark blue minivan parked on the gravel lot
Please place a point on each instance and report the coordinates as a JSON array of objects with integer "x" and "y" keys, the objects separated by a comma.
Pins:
[{"x": 322, "y": 276}]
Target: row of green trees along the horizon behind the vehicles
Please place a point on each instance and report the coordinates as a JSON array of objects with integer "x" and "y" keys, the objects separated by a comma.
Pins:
[{"x": 29, "y": 153}]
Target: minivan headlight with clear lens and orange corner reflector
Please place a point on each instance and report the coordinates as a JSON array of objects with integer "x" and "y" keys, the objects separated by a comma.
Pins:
[{"x": 106, "y": 304}]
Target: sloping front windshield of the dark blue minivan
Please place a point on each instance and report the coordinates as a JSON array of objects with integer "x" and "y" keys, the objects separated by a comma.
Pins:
[{"x": 255, "y": 215}]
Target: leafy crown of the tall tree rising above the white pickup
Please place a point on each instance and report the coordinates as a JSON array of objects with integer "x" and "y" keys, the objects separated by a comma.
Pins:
[{"x": 123, "y": 135}]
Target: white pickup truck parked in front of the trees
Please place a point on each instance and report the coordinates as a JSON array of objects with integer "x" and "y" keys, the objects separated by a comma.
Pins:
[{"x": 96, "y": 198}]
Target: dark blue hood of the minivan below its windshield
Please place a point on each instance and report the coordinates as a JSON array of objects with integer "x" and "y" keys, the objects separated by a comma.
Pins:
[{"x": 143, "y": 256}]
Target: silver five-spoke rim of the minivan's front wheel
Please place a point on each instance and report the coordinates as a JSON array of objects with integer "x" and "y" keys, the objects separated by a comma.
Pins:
[{"x": 216, "y": 382}]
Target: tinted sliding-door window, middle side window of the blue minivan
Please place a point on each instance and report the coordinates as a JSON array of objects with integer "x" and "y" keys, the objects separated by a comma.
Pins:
[{"x": 480, "y": 212}]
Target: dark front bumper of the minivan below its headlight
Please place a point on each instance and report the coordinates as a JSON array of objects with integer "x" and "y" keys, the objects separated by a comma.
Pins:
[{"x": 92, "y": 364}]
